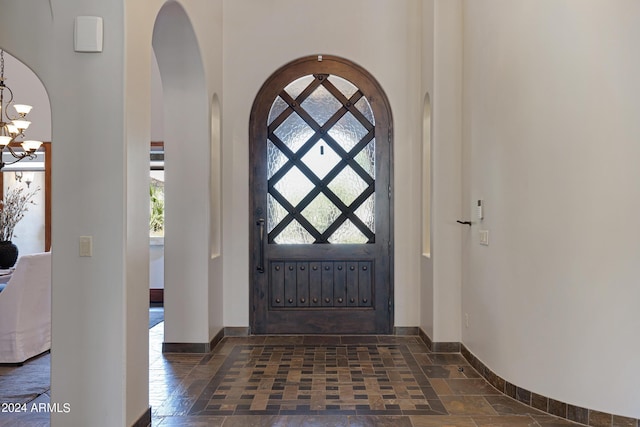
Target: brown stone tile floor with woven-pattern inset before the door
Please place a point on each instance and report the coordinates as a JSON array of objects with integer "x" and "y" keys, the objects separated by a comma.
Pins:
[{"x": 327, "y": 381}]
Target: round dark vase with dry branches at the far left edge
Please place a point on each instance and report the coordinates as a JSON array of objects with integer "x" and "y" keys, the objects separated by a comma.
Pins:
[{"x": 13, "y": 206}]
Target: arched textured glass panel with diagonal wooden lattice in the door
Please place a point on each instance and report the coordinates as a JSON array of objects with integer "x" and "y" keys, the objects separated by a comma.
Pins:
[{"x": 321, "y": 164}]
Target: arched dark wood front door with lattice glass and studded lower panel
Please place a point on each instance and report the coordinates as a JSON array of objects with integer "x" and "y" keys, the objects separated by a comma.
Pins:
[{"x": 320, "y": 201}]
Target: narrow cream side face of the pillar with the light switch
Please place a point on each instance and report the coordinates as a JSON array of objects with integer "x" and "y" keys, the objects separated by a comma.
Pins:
[{"x": 136, "y": 117}]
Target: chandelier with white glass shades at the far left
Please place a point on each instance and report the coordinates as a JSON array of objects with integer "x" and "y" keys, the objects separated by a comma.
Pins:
[{"x": 12, "y": 128}]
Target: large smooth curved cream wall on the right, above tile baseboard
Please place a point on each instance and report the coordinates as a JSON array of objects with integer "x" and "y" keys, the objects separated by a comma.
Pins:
[{"x": 551, "y": 139}]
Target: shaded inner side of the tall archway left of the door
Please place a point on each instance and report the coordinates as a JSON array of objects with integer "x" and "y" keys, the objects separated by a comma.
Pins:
[{"x": 187, "y": 156}]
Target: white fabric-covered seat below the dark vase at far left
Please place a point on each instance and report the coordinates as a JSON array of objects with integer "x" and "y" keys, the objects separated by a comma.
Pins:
[{"x": 25, "y": 310}]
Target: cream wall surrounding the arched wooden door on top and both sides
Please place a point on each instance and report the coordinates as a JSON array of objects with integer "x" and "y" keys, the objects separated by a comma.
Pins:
[{"x": 383, "y": 36}]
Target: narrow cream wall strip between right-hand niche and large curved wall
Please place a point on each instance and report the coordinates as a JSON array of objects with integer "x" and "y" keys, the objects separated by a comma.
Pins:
[{"x": 441, "y": 81}]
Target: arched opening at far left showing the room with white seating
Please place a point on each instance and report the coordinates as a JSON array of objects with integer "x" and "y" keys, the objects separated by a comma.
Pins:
[{"x": 25, "y": 341}]
